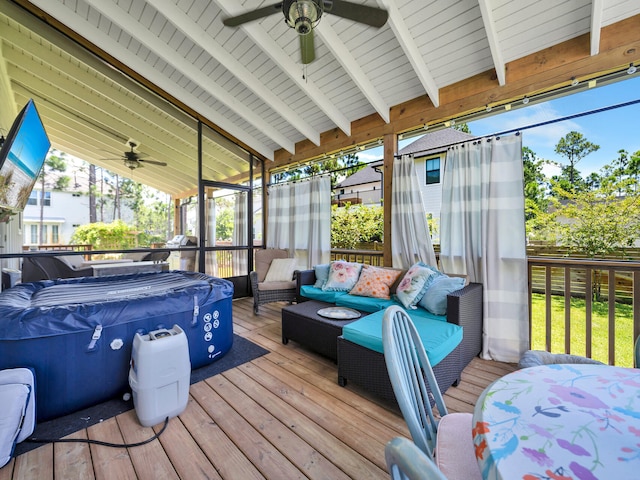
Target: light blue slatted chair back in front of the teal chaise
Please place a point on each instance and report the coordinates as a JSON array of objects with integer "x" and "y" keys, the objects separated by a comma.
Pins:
[{"x": 410, "y": 372}]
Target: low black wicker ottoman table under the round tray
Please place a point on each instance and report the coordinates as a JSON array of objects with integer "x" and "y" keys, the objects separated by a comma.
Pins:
[{"x": 301, "y": 323}]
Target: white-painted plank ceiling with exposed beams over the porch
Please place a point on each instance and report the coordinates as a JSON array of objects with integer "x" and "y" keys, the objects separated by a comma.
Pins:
[{"x": 249, "y": 80}]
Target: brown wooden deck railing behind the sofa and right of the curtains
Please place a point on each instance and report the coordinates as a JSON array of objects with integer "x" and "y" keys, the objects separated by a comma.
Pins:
[{"x": 577, "y": 290}]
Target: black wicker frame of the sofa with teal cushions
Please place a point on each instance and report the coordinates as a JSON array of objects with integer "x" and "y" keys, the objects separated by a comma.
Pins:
[{"x": 367, "y": 369}]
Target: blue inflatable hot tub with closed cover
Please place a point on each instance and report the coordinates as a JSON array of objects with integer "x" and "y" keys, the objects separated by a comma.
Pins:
[{"x": 77, "y": 333}]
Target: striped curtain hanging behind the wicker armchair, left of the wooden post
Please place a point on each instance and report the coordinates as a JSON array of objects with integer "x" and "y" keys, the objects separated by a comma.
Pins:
[{"x": 300, "y": 219}]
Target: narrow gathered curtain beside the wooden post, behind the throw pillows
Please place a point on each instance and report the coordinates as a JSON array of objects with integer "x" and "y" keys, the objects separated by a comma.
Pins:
[{"x": 410, "y": 236}]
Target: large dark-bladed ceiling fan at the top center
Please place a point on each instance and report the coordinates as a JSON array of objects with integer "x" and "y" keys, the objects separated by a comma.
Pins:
[{"x": 304, "y": 15}]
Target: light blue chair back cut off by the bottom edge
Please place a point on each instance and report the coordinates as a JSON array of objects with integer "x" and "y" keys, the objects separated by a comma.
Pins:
[{"x": 406, "y": 461}]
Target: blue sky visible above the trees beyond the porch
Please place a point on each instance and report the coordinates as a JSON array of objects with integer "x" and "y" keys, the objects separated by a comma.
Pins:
[{"x": 613, "y": 130}]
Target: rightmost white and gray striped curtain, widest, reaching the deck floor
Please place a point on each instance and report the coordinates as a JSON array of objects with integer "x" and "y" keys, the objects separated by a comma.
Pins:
[{"x": 483, "y": 236}]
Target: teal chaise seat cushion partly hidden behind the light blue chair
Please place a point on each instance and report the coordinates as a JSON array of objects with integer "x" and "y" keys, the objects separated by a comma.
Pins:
[{"x": 439, "y": 338}]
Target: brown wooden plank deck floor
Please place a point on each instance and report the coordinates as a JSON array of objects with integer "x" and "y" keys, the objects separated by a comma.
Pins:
[{"x": 280, "y": 416}]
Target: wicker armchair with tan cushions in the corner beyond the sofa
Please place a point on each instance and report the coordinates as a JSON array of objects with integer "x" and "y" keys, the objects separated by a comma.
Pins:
[{"x": 271, "y": 291}]
